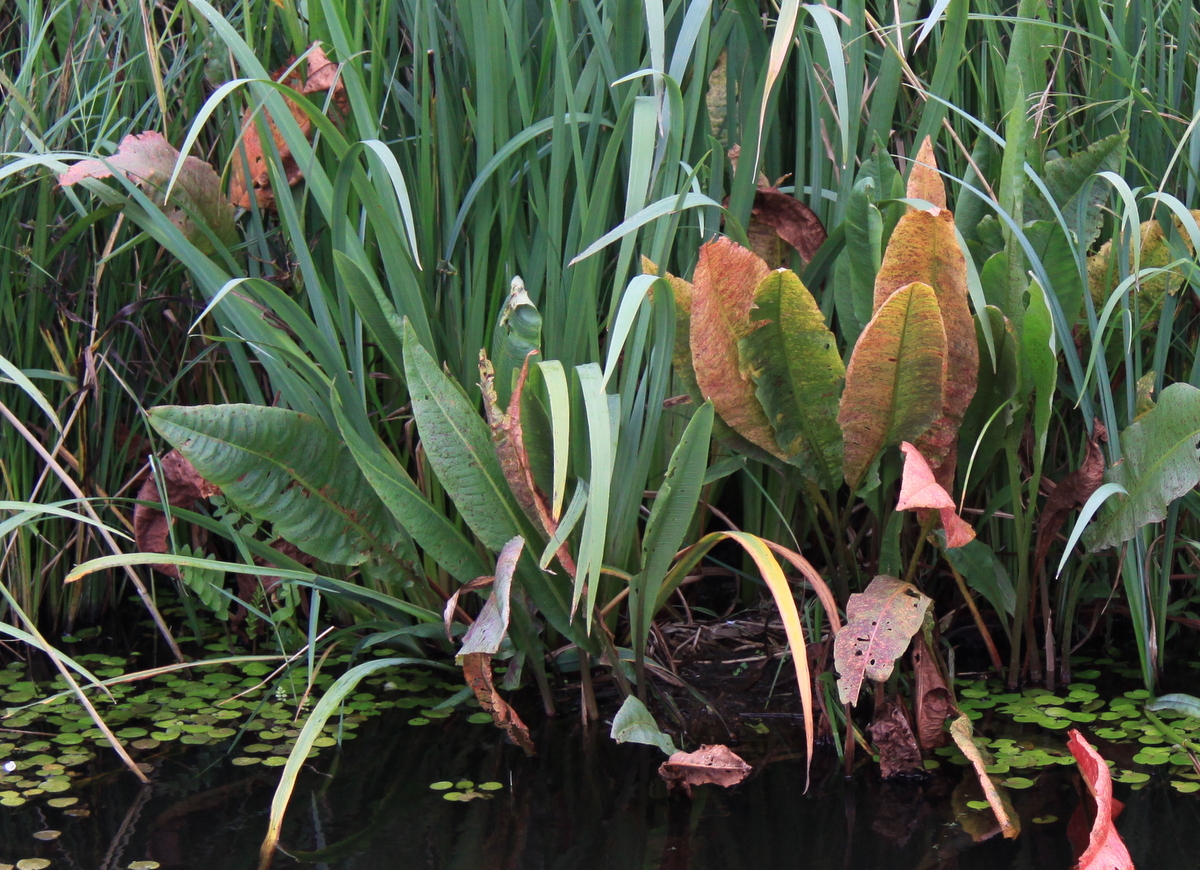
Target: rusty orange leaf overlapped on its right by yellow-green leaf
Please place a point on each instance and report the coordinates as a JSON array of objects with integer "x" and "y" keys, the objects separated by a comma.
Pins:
[{"x": 723, "y": 297}]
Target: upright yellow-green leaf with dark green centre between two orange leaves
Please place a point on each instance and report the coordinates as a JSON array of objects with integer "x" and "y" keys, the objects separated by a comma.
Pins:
[{"x": 794, "y": 362}]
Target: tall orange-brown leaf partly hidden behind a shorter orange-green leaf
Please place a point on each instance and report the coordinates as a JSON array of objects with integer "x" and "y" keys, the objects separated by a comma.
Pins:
[{"x": 925, "y": 248}]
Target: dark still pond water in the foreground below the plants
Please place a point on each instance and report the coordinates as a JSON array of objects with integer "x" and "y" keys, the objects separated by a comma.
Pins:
[{"x": 584, "y": 803}]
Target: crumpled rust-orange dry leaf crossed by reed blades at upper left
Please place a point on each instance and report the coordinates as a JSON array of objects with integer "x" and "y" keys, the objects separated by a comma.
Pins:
[{"x": 322, "y": 76}]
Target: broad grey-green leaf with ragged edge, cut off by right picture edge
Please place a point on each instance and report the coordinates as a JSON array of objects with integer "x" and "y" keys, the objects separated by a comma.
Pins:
[{"x": 1160, "y": 464}]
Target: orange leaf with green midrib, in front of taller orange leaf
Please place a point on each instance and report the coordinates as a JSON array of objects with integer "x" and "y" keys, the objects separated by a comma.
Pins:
[{"x": 896, "y": 380}]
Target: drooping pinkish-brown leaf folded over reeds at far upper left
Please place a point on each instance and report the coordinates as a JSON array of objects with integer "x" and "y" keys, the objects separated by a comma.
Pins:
[{"x": 149, "y": 160}]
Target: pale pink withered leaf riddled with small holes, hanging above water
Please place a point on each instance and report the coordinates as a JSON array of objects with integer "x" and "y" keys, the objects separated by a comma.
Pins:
[{"x": 880, "y": 623}]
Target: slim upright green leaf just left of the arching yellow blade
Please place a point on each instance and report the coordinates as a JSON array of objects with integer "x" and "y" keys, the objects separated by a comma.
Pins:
[{"x": 670, "y": 518}]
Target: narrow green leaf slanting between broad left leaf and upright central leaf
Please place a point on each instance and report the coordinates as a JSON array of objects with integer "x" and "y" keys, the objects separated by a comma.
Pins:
[{"x": 429, "y": 527}]
